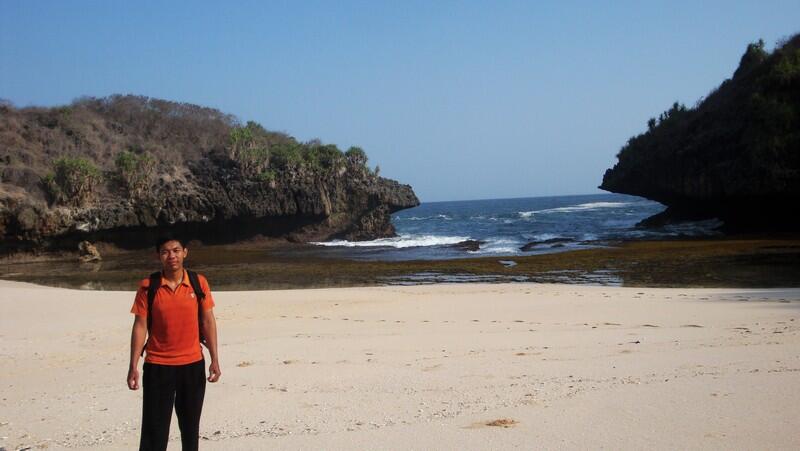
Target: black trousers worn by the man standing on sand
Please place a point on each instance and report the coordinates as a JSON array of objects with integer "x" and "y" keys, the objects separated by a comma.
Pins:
[{"x": 183, "y": 386}]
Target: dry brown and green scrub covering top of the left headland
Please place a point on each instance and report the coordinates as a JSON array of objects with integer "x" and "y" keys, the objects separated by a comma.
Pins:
[{"x": 61, "y": 153}]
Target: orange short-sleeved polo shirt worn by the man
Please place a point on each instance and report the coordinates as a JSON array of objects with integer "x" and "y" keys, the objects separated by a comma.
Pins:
[{"x": 174, "y": 332}]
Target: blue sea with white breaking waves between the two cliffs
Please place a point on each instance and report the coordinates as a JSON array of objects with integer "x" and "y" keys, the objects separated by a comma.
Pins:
[{"x": 512, "y": 227}]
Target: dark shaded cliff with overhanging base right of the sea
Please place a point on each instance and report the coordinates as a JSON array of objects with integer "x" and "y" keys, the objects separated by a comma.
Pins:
[{"x": 735, "y": 156}]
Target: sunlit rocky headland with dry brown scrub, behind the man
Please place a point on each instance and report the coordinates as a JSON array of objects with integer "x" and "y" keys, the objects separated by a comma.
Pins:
[{"x": 195, "y": 187}]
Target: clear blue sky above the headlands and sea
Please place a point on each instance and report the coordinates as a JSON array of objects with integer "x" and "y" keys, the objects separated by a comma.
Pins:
[{"x": 462, "y": 100}]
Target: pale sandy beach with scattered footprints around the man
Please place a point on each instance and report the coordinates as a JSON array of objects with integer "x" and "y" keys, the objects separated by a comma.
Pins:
[{"x": 470, "y": 366}]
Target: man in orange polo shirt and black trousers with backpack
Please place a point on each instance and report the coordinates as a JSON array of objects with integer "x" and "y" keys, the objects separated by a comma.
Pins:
[{"x": 174, "y": 368}]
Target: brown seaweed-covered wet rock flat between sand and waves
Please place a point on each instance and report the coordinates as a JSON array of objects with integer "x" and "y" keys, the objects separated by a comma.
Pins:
[{"x": 741, "y": 261}]
